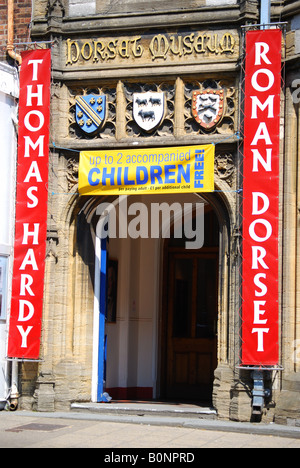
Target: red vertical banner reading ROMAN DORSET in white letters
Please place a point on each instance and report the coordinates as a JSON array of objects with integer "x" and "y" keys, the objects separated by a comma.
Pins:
[{"x": 260, "y": 331}]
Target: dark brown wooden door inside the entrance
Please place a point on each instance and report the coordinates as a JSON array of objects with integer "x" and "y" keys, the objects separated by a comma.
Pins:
[{"x": 191, "y": 354}]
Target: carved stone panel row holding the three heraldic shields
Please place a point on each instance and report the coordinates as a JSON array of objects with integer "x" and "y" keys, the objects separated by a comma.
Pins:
[{"x": 180, "y": 114}]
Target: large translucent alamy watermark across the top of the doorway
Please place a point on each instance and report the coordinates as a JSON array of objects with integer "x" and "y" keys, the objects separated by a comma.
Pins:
[{"x": 156, "y": 220}]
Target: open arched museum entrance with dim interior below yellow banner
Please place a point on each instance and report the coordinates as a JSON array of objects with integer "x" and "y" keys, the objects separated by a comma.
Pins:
[{"x": 162, "y": 340}]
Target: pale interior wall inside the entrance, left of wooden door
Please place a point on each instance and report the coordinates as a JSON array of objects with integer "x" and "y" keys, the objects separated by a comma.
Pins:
[{"x": 131, "y": 358}]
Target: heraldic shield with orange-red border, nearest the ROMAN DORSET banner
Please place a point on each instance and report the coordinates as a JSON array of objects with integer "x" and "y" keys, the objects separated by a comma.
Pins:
[{"x": 208, "y": 107}]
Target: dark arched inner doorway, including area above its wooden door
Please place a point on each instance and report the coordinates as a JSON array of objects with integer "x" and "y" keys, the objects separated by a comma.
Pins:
[{"x": 190, "y": 315}]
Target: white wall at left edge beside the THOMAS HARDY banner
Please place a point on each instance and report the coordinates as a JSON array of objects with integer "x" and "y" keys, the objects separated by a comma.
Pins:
[{"x": 8, "y": 114}]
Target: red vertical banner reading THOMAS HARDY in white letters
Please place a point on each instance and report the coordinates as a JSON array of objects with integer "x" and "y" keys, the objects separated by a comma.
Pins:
[{"x": 31, "y": 206}]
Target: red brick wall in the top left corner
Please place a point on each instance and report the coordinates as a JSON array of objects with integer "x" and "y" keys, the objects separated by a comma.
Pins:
[{"x": 21, "y": 24}]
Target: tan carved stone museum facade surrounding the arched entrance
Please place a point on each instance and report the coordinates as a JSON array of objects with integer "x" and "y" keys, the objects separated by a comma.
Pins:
[{"x": 119, "y": 49}]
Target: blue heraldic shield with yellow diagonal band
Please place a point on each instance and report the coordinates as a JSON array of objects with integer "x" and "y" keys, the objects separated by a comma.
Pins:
[{"x": 90, "y": 112}]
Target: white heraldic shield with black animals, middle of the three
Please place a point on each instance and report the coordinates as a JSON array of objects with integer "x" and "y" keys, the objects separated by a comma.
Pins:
[{"x": 148, "y": 109}]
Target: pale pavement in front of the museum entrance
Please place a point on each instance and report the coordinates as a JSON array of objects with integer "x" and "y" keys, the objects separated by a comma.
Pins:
[{"x": 123, "y": 433}]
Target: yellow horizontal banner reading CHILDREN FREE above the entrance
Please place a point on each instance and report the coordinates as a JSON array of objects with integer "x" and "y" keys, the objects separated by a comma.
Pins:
[{"x": 147, "y": 171}]
